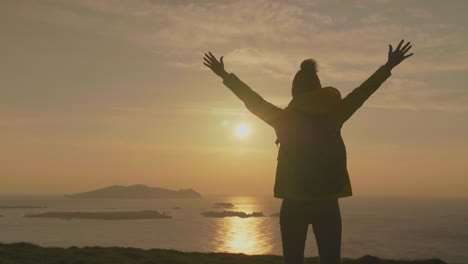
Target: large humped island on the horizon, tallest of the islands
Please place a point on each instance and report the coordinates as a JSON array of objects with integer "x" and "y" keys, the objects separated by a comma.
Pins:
[{"x": 138, "y": 191}]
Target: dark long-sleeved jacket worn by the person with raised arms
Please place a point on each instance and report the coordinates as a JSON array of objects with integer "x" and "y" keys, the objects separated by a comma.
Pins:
[{"x": 312, "y": 155}]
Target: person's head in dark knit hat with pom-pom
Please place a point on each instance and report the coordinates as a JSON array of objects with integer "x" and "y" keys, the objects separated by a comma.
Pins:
[{"x": 306, "y": 78}]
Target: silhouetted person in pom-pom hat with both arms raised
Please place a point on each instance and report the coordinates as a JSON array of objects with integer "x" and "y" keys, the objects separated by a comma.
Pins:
[{"x": 311, "y": 173}]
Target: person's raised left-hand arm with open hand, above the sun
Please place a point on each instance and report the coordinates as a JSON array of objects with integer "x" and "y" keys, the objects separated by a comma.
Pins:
[{"x": 266, "y": 111}]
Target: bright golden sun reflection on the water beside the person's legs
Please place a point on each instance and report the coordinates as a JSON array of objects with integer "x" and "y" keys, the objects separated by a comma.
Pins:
[{"x": 244, "y": 235}]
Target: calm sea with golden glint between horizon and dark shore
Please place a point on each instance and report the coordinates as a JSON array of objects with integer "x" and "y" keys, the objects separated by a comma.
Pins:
[{"x": 387, "y": 227}]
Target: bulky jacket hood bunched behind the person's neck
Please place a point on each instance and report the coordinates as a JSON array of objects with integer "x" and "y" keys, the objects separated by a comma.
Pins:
[{"x": 319, "y": 101}]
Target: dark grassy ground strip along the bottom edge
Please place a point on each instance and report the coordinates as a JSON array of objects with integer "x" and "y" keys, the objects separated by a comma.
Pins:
[{"x": 27, "y": 253}]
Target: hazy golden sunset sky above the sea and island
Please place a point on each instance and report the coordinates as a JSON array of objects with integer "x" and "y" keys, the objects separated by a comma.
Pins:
[{"x": 103, "y": 92}]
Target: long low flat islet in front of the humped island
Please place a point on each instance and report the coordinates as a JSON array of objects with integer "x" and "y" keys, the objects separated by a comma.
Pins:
[{"x": 132, "y": 215}]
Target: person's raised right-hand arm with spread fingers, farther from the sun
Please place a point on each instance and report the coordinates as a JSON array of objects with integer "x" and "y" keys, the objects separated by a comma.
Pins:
[{"x": 354, "y": 100}]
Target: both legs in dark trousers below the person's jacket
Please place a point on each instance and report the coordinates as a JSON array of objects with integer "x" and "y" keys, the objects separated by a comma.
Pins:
[{"x": 325, "y": 218}]
